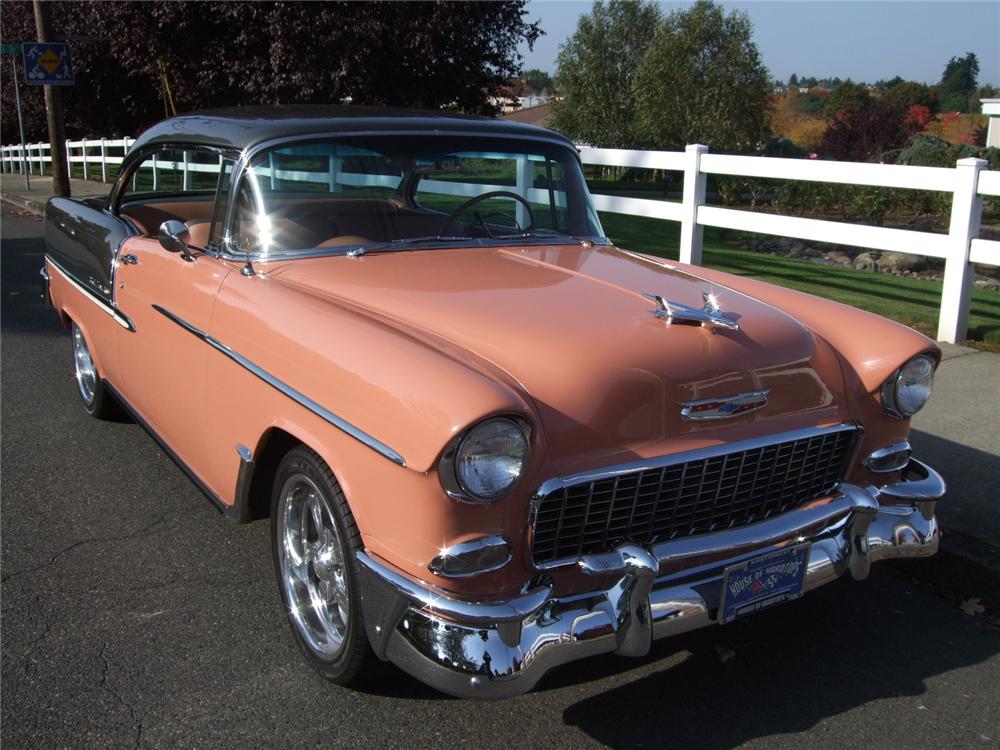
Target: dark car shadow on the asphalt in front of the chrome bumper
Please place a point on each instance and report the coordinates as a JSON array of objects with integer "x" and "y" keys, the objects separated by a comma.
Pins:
[{"x": 788, "y": 669}]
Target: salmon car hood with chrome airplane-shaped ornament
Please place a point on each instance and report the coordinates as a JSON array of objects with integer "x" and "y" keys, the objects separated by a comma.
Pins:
[{"x": 570, "y": 325}]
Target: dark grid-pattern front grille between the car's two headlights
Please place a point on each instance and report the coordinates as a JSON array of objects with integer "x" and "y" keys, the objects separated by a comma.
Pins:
[{"x": 691, "y": 495}]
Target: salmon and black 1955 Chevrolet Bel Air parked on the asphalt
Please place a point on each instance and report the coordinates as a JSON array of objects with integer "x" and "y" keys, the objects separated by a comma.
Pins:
[{"x": 488, "y": 441}]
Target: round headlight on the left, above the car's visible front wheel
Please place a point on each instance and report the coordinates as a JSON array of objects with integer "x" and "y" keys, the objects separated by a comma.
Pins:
[{"x": 491, "y": 458}]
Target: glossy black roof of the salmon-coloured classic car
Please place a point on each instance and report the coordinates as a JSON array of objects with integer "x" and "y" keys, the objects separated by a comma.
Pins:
[{"x": 243, "y": 128}]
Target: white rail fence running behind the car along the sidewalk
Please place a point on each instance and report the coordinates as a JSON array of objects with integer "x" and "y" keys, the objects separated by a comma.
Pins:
[{"x": 961, "y": 248}]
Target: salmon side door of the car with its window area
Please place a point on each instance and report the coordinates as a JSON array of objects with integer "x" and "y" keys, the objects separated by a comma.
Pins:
[{"x": 169, "y": 297}]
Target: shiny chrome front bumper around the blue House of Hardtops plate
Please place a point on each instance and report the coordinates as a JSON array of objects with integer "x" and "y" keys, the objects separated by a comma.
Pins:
[{"x": 499, "y": 649}]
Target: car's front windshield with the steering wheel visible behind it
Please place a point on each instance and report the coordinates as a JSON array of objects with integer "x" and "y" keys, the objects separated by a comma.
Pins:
[{"x": 392, "y": 192}]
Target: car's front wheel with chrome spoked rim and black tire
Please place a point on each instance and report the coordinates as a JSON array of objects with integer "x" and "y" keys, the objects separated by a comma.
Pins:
[{"x": 313, "y": 541}]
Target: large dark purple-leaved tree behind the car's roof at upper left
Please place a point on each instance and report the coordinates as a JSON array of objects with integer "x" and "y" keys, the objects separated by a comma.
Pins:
[{"x": 434, "y": 55}]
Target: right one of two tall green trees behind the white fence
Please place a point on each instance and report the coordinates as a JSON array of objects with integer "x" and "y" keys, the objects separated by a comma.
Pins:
[{"x": 702, "y": 81}]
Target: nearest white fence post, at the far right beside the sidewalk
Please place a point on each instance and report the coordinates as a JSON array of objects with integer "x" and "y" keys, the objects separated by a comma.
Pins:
[{"x": 959, "y": 273}]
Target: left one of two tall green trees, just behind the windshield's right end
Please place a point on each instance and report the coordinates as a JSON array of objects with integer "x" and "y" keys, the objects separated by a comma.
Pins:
[{"x": 594, "y": 72}]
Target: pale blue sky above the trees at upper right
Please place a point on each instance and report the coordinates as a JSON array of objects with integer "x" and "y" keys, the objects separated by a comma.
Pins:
[{"x": 864, "y": 41}]
